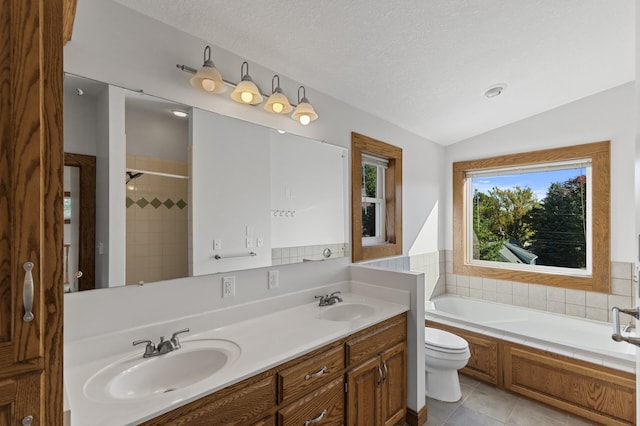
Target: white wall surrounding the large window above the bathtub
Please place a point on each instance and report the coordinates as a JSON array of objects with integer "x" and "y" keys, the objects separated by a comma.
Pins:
[{"x": 608, "y": 115}]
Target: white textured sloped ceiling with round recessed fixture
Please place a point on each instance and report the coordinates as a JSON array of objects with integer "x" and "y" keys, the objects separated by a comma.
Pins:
[{"x": 424, "y": 65}]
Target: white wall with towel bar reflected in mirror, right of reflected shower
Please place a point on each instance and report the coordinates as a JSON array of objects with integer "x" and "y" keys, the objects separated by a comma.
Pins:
[{"x": 227, "y": 155}]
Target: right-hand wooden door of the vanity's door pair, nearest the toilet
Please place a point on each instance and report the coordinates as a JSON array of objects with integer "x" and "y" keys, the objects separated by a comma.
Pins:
[{"x": 393, "y": 393}]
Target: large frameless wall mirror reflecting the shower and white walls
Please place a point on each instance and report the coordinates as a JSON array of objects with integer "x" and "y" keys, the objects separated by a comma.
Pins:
[{"x": 182, "y": 192}]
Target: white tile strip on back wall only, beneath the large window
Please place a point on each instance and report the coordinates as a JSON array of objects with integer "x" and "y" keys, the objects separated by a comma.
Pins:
[{"x": 575, "y": 303}]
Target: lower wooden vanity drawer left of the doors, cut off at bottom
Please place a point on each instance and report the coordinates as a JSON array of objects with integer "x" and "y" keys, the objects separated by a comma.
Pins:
[{"x": 326, "y": 406}]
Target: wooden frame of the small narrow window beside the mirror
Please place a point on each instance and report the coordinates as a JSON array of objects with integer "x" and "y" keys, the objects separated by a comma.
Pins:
[{"x": 392, "y": 246}]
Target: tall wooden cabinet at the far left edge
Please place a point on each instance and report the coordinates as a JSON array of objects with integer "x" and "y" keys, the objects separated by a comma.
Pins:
[{"x": 31, "y": 222}]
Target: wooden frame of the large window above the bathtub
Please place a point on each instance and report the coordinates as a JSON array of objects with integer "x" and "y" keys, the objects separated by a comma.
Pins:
[{"x": 599, "y": 279}]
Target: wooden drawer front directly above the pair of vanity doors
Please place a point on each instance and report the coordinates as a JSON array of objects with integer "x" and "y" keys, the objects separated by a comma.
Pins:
[{"x": 372, "y": 343}]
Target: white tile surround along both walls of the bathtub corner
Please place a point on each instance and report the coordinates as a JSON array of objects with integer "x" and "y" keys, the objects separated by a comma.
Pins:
[{"x": 439, "y": 279}]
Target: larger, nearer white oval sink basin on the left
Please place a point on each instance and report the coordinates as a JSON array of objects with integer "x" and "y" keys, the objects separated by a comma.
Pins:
[{"x": 135, "y": 377}]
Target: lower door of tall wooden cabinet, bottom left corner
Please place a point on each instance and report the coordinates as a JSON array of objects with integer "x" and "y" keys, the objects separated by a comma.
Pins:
[{"x": 19, "y": 399}]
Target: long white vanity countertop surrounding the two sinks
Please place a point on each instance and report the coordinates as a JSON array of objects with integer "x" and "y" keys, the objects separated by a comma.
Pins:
[{"x": 265, "y": 341}]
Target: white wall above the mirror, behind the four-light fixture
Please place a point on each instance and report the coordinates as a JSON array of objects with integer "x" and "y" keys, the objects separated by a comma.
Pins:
[{"x": 123, "y": 57}]
